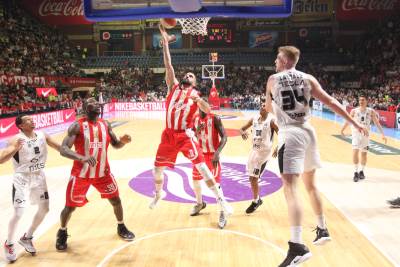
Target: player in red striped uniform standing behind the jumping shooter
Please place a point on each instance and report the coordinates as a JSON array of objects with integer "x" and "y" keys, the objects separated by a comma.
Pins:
[{"x": 212, "y": 139}]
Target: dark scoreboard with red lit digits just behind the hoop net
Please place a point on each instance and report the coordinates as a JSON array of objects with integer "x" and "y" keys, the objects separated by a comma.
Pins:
[{"x": 220, "y": 34}]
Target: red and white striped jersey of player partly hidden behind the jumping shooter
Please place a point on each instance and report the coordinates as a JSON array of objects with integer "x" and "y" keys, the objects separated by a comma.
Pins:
[{"x": 208, "y": 137}]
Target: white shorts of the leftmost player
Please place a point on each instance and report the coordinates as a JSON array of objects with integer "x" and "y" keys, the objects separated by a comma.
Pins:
[{"x": 29, "y": 184}]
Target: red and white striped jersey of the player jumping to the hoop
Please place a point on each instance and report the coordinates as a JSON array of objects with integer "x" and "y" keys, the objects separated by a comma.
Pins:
[{"x": 180, "y": 108}]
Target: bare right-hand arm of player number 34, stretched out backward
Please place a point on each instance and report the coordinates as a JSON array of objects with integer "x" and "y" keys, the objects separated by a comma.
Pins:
[{"x": 332, "y": 103}]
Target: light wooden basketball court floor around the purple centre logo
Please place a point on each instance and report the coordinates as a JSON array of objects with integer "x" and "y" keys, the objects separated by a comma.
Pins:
[{"x": 168, "y": 236}]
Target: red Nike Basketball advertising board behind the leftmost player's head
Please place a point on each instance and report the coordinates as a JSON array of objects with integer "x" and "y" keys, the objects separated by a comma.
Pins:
[{"x": 41, "y": 120}]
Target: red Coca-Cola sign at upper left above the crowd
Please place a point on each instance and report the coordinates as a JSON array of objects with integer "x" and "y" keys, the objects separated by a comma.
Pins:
[{"x": 57, "y": 12}]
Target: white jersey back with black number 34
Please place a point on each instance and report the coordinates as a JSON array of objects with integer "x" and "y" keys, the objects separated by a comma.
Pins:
[{"x": 291, "y": 97}]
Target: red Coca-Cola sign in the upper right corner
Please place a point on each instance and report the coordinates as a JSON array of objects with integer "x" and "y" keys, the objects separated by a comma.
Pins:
[{"x": 366, "y": 9}]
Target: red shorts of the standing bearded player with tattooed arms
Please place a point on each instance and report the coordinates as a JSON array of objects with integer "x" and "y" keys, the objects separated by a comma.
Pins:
[{"x": 78, "y": 187}]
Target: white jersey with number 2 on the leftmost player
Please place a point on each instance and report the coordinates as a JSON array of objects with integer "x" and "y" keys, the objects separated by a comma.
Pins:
[{"x": 33, "y": 154}]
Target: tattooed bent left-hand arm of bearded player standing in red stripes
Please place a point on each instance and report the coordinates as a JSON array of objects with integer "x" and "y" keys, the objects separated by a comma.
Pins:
[{"x": 67, "y": 143}]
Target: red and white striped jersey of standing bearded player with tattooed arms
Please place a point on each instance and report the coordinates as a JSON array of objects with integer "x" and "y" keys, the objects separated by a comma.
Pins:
[{"x": 93, "y": 139}]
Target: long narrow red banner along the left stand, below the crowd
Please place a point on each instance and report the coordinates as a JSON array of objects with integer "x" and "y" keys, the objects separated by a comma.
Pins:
[{"x": 46, "y": 80}]
